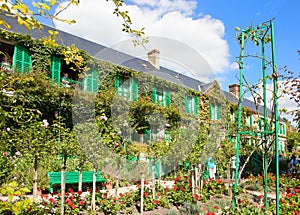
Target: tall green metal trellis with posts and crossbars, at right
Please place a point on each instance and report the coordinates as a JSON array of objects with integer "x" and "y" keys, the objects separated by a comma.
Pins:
[{"x": 265, "y": 28}]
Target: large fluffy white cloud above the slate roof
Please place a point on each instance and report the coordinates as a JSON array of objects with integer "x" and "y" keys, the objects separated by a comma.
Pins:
[{"x": 161, "y": 18}]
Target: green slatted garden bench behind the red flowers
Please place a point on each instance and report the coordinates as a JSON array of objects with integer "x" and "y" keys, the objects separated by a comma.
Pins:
[{"x": 73, "y": 178}]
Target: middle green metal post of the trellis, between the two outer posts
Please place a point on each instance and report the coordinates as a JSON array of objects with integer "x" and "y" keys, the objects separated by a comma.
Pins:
[{"x": 265, "y": 140}]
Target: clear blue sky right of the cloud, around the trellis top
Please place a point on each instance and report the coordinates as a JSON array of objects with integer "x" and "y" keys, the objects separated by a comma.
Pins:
[{"x": 287, "y": 26}]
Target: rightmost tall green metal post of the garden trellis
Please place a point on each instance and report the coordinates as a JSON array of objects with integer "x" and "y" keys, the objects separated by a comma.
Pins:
[{"x": 275, "y": 100}]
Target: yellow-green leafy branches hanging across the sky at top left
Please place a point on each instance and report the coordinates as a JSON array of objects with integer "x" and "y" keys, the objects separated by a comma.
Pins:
[{"x": 29, "y": 18}]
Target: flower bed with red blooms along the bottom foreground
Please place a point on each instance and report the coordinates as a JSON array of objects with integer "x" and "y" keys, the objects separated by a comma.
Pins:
[{"x": 179, "y": 197}]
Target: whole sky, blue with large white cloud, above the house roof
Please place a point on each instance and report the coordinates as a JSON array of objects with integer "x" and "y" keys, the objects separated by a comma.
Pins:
[{"x": 204, "y": 30}]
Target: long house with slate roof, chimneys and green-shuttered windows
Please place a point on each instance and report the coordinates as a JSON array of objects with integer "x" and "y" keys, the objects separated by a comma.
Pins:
[{"x": 129, "y": 87}]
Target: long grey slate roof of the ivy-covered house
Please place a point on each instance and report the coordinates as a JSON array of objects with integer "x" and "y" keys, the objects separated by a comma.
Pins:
[{"x": 116, "y": 57}]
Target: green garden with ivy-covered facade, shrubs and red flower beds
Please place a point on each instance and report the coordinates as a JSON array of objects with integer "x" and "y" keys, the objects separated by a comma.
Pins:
[{"x": 46, "y": 128}]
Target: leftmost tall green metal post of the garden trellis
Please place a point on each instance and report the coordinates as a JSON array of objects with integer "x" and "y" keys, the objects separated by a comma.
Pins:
[{"x": 239, "y": 121}]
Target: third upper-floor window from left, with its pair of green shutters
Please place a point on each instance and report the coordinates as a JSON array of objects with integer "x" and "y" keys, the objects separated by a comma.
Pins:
[{"x": 127, "y": 88}]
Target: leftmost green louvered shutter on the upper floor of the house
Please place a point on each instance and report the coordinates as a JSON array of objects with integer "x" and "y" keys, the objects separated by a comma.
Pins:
[{"x": 22, "y": 59}]
